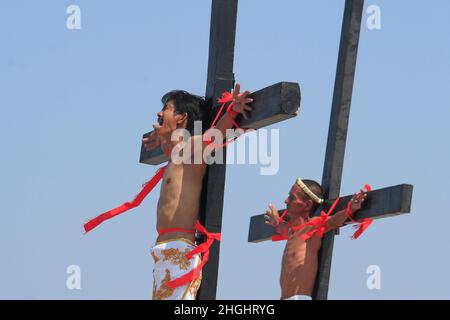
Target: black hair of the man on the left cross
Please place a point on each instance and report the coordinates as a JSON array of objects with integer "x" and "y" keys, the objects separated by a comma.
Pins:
[{"x": 185, "y": 102}]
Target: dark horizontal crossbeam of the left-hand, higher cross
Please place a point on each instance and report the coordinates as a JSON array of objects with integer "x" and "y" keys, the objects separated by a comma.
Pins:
[{"x": 272, "y": 104}]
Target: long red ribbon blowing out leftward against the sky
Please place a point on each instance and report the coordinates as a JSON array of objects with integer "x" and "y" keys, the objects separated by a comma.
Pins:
[{"x": 148, "y": 187}]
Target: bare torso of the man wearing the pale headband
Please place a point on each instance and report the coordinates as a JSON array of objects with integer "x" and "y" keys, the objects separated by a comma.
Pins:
[{"x": 299, "y": 266}]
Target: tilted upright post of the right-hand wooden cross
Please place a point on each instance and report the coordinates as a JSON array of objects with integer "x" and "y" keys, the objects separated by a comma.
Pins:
[{"x": 337, "y": 132}]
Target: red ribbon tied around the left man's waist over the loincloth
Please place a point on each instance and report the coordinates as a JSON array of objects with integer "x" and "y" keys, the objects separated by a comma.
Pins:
[{"x": 201, "y": 248}]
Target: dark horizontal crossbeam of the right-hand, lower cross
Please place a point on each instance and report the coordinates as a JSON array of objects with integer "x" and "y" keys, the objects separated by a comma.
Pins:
[{"x": 380, "y": 203}]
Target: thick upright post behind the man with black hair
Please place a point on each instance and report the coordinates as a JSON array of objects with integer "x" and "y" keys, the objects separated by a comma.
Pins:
[{"x": 220, "y": 78}]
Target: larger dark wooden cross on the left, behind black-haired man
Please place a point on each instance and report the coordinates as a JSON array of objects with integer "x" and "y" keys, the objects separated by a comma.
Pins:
[{"x": 275, "y": 103}]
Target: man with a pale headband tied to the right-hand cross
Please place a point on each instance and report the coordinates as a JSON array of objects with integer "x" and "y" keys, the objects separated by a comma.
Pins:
[{"x": 303, "y": 233}]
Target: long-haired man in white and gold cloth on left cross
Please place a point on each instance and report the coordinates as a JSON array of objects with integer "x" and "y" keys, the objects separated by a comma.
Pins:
[{"x": 178, "y": 262}]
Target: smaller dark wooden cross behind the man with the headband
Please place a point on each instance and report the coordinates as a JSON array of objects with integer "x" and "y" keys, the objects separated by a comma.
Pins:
[{"x": 381, "y": 203}]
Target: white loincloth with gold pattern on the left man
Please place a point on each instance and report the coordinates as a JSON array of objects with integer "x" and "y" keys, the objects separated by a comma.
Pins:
[{"x": 171, "y": 263}]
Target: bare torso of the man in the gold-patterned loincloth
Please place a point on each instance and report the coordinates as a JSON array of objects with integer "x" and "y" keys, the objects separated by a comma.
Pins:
[{"x": 179, "y": 201}]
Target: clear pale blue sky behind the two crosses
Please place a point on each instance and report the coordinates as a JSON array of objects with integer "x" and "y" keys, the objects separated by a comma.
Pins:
[{"x": 75, "y": 103}]
